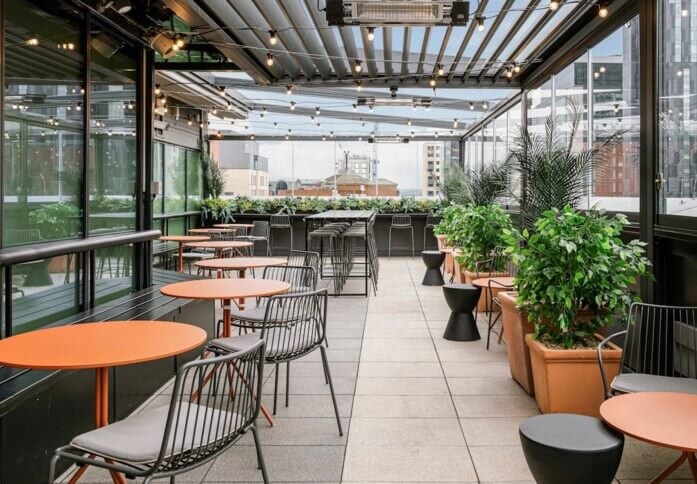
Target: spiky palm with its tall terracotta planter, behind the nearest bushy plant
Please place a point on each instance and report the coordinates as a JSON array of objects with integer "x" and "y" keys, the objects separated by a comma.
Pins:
[{"x": 556, "y": 175}]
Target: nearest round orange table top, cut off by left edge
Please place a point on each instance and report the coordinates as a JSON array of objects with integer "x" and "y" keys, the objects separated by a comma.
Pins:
[{"x": 99, "y": 345}]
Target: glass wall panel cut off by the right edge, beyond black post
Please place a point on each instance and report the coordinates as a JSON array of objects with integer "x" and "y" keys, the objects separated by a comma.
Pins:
[{"x": 677, "y": 93}]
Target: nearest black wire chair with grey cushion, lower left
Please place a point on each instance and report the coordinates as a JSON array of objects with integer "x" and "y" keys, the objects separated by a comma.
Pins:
[{"x": 215, "y": 402}]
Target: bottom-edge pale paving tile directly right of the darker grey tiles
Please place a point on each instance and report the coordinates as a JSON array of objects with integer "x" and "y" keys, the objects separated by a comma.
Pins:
[{"x": 408, "y": 464}]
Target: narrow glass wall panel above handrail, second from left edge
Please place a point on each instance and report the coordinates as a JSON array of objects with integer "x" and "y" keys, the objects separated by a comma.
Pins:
[{"x": 112, "y": 164}]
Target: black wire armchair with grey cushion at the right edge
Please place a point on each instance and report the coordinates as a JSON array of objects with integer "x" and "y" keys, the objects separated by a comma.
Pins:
[{"x": 660, "y": 351}]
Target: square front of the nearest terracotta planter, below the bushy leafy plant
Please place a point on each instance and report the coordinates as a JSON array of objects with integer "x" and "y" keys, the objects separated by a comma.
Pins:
[{"x": 569, "y": 381}]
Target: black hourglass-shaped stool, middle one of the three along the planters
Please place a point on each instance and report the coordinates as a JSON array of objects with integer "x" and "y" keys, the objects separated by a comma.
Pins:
[{"x": 461, "y": 299}]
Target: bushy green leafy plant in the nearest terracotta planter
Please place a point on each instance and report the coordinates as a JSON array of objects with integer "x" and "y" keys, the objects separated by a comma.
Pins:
[{"x": 571, "y": 263}]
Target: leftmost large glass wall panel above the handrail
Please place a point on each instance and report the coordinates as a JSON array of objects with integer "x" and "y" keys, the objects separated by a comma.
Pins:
[{"x": 43, "y": 125}]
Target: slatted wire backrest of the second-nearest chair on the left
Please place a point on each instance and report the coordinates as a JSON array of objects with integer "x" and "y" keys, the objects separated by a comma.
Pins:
[{"x": 294, "y": 324}]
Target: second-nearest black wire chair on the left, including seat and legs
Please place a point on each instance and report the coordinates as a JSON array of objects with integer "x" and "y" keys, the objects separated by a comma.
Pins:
[{"x": 294, "y": 326}]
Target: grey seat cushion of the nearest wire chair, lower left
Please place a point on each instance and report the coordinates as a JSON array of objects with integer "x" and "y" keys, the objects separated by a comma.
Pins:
[{"x": 138, "y": 439}]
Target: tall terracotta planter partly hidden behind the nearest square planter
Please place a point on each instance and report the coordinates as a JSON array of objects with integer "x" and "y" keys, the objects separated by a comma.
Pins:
[{"x": 515, "y": 327}]
